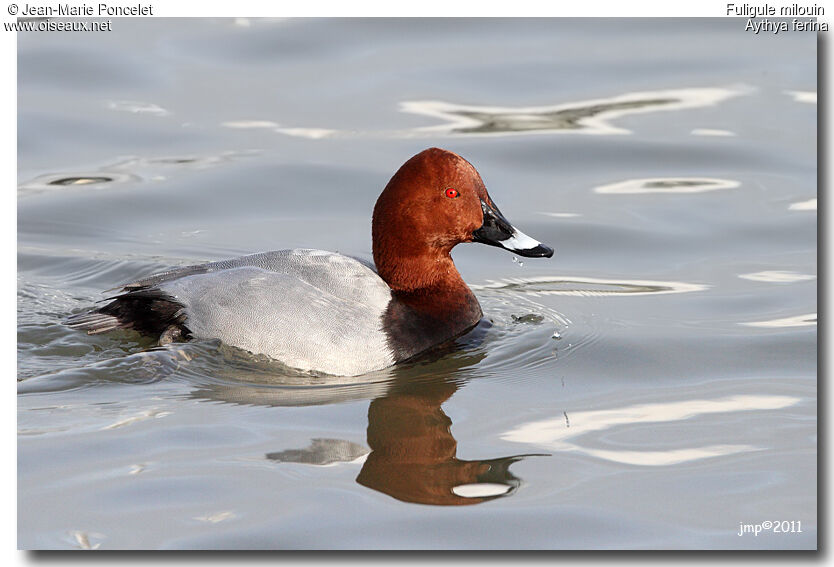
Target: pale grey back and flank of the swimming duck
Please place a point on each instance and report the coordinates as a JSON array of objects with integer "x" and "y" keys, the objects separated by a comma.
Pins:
[{"x": 309, "y": 309}]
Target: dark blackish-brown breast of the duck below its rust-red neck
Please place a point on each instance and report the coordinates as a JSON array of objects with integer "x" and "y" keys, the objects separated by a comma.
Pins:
[{"x": 416, "y": 322}]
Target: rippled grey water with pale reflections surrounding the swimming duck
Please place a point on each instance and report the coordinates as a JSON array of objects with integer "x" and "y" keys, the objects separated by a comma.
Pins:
[{"x": 651, "y": 386}]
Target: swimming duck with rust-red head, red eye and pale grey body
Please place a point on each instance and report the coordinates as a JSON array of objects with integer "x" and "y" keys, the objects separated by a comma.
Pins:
[{"x": 326, "y": 313}]
